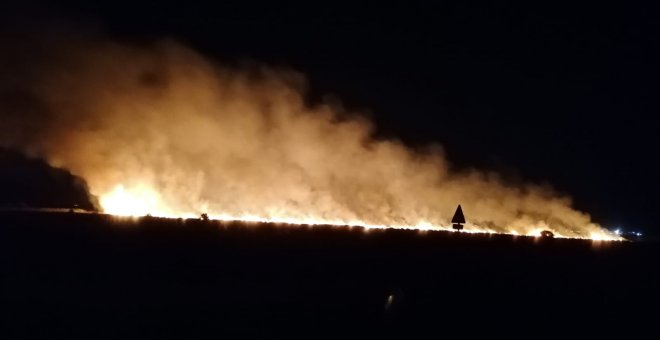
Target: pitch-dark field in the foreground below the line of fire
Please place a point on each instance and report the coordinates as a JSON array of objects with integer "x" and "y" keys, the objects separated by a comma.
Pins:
[{"x": 92, "y": 276}]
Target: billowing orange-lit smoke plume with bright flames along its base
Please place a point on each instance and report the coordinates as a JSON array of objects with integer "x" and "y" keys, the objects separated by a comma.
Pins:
[{"x": 162, "y": 129}]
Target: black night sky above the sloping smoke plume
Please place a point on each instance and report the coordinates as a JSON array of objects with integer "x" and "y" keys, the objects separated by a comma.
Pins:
[{"x": 558, "y": 94}]
